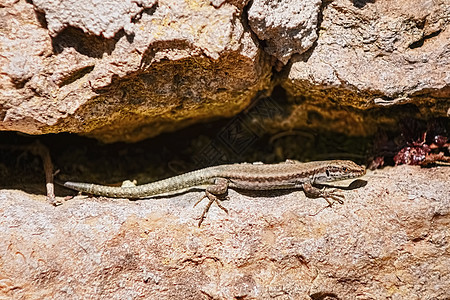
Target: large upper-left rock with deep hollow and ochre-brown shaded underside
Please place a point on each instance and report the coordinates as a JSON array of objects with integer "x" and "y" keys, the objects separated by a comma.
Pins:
[{"x": 175, "y": 64}]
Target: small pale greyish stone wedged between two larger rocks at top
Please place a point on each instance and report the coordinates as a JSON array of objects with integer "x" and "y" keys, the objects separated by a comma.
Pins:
[{"x": 288, "y": 26}]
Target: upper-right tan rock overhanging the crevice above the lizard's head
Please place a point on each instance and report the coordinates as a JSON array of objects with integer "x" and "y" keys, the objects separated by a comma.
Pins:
[{"x": 378, "y": 53}]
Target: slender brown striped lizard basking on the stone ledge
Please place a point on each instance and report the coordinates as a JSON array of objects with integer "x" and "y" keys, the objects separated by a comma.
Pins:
[{"x": 216, "y": 180}]
